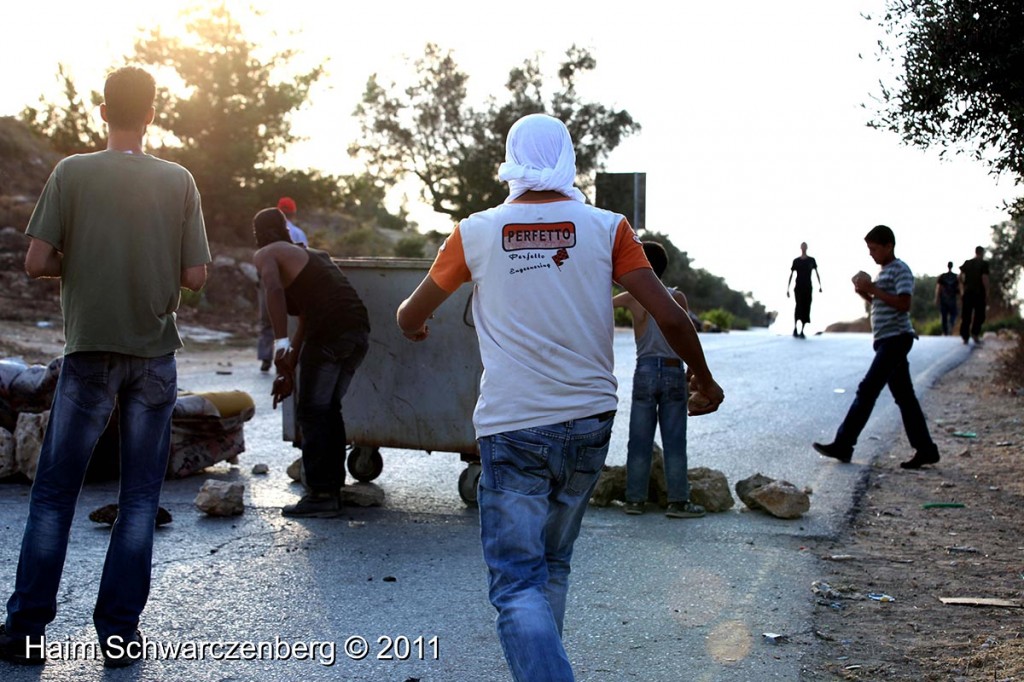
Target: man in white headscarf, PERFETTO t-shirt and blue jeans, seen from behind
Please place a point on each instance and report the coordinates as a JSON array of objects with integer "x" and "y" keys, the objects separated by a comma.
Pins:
[{"x": 542, "y": 266}]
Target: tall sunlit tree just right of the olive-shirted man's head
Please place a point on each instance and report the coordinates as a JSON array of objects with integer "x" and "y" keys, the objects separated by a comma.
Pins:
[{"x": 230, "y": 117}]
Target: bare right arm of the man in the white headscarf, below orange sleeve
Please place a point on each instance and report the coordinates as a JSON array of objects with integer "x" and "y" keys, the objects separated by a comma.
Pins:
[{"x": 677, "y": 328}]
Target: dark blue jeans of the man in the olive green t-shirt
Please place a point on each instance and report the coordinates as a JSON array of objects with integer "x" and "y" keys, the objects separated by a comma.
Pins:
[{"x": 91, "y": 385}]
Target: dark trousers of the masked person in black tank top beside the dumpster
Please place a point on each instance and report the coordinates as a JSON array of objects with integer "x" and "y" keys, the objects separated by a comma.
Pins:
[{"x": 325, "y": 373}]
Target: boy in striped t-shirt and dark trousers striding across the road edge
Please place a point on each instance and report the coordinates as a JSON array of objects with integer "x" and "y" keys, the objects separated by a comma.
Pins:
[{"x": 890, "y": 296}]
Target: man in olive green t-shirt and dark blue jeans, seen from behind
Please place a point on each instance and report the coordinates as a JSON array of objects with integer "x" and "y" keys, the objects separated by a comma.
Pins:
[{"x": 124, "y": 232}]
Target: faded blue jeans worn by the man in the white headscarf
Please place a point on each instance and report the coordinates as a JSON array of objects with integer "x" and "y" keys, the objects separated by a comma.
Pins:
[{"x": 534, "y": 491}]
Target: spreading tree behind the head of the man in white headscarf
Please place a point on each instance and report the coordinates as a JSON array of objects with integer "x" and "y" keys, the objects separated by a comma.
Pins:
[{"x": 430, "y": 132}]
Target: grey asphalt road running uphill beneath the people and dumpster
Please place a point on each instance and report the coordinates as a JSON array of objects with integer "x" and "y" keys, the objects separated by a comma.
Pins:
[{"x": 653, "y": 600}]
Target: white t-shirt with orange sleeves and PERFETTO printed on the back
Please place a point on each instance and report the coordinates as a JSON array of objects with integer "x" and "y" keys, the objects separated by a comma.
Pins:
[{"x": 542, "y": 275}]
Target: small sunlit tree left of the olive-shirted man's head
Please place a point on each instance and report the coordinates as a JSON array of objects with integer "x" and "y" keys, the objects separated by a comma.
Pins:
[{"x": 71, "y": 126}]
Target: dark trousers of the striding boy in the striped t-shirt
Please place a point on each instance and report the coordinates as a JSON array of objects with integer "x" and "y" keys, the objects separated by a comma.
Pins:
[{"x": 891, "y": 368}]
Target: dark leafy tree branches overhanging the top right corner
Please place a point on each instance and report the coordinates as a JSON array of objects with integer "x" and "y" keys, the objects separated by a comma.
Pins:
[{"x": 961, "y": 77}]
